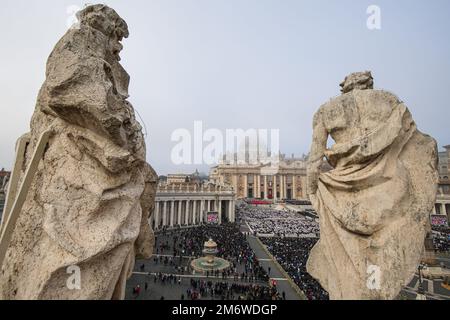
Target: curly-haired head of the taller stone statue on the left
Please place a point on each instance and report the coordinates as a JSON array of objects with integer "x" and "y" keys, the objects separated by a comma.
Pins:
[{"x": 108, "y": 22}]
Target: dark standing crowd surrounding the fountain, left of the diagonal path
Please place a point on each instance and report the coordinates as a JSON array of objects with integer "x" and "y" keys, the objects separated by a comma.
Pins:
[{"x": 244, "y": 280}]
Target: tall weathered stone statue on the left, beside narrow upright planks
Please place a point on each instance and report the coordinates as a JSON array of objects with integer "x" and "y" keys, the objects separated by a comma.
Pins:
[{"x": 89, "y": 202}]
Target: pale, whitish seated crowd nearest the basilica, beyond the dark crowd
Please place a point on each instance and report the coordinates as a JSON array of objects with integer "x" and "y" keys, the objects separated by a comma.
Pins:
[{"x": 269, "y": 222}]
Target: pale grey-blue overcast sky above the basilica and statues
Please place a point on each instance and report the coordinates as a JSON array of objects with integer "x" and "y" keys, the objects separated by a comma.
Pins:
[{"x": 263, "y": 64}]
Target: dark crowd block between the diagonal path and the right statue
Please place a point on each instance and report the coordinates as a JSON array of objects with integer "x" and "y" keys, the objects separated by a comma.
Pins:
[{"x": 292, "y": 255}]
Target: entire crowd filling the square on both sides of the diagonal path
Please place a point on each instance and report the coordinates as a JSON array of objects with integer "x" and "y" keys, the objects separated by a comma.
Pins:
[{"x": 287, "y": 234}]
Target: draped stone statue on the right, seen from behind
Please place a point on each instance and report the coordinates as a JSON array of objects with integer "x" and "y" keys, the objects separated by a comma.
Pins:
[{"x": 374, "y": 204}]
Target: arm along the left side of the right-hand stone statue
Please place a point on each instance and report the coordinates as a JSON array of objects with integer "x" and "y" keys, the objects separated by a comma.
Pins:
[{"x": 319, "y": 145}]
